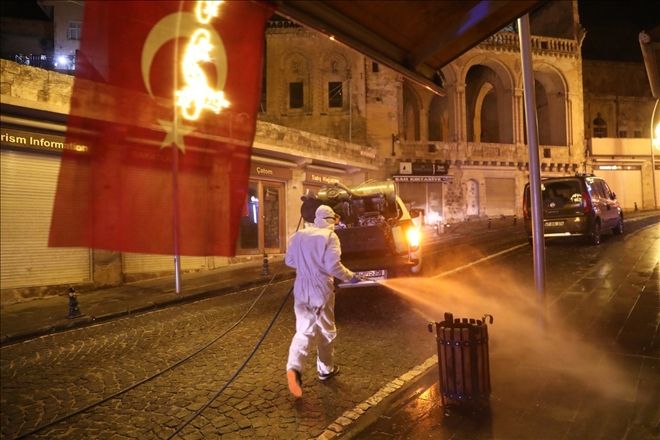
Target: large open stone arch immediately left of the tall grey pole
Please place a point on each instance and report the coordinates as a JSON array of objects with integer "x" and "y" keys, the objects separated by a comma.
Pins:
[{"x": 491, "y": 107}]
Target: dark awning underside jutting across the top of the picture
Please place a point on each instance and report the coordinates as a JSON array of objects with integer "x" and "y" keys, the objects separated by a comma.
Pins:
[{"x": 416, "y": 37}]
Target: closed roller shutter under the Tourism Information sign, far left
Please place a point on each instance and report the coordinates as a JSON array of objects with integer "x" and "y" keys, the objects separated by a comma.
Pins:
[{"x": 28, "y": 182}]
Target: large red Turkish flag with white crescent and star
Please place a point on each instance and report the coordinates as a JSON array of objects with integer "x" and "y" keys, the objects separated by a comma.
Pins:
[{"x": 153, "y": 162}]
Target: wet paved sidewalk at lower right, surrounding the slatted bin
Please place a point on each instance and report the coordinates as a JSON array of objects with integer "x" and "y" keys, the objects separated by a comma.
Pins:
[{"x": 601, "y": 382}]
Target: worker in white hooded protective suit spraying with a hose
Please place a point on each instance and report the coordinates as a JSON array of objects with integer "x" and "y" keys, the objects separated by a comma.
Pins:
[{"x": 314, "y": 252}]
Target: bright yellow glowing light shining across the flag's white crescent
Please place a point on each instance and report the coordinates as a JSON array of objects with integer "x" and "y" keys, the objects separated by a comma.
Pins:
[{"x": 197, "y": 95}]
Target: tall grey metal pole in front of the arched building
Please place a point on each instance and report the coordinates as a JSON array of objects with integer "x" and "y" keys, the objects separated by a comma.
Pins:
[{"x": 534, "y": 167}]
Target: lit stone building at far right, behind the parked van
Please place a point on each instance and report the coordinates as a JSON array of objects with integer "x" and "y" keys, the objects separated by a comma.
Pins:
[{"x": 618, "y": 109}]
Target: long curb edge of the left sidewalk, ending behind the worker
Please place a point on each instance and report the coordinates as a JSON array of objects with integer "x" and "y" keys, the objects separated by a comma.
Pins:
[{"x": 87, "y": 320}]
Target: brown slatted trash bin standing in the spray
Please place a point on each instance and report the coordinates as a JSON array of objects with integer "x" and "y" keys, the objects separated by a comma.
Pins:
[{"x": 463, "y": 363}]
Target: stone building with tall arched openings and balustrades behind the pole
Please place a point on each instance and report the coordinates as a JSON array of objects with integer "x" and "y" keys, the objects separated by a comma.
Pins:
[{"x": 478, "y": 128}]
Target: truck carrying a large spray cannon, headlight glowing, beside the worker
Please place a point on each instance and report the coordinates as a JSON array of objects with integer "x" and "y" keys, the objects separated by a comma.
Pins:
[{"x": 378, "y": 237}]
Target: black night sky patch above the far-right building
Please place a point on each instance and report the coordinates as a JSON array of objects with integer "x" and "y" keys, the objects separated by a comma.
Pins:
[{"x": 613, "y": 27}]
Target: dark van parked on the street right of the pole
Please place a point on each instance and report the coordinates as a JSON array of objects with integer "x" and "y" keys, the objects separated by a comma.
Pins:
[{"x": 582, "y": 205}]
